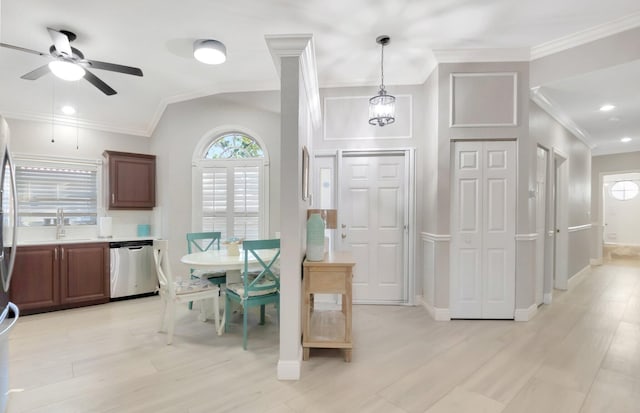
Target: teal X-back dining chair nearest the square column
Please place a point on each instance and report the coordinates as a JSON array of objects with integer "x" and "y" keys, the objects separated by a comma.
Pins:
[{"x": 257, "y": 288}]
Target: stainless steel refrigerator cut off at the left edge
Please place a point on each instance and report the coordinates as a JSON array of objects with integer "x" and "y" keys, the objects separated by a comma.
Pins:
[{"x": 8, "y": 221}]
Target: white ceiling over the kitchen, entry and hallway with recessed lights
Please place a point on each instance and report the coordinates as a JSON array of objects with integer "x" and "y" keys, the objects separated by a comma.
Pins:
[{"x": 157, "y": 36}]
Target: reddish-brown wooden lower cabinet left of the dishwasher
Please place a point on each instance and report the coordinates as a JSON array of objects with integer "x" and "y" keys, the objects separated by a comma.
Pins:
[{"x": 59, "y": 276}]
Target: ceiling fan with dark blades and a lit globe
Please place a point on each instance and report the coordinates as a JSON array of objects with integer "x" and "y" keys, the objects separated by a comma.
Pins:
[{"x": 69, "y": 63}]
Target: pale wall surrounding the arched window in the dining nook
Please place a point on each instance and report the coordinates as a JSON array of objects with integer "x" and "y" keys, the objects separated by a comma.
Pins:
[{"x": 179, "y": 132}]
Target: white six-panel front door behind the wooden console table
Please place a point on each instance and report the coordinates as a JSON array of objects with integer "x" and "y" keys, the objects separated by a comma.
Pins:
[{"x": 373, "y": 224}]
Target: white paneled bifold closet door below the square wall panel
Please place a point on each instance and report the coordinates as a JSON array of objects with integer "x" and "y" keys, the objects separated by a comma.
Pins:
[{"x": 483, "y": 230}]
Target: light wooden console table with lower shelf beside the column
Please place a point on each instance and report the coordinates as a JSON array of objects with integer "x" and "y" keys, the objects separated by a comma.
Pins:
[{"x": 323, "y": 328}]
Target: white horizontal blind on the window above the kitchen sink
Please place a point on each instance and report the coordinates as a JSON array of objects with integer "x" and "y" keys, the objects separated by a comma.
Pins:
[{"x": 42, "y": 189}]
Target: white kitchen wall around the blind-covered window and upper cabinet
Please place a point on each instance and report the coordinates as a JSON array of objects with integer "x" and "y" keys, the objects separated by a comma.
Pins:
[{"x": 32, "y": 137}]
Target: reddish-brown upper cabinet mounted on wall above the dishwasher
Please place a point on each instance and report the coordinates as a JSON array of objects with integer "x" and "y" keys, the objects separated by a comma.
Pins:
[{"x": 132, "y": 180}]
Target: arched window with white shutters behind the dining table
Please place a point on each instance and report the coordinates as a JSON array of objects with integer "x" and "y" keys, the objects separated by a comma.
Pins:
[{"x": 233, "y": 187}]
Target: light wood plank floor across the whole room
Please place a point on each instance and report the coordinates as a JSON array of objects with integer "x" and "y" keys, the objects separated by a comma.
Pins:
[{"x": 579, "y": 354}]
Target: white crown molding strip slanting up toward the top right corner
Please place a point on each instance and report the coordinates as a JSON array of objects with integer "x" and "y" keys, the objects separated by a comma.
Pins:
[{"x": 579, "y": 38}]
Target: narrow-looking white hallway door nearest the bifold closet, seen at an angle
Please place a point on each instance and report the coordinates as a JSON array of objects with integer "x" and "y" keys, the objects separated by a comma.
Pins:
[{"x": 541, "y": 220}]
